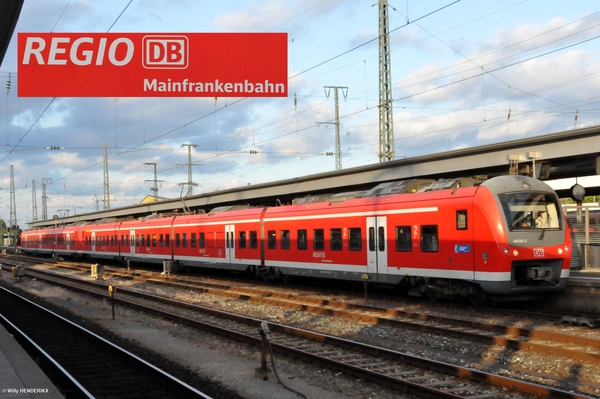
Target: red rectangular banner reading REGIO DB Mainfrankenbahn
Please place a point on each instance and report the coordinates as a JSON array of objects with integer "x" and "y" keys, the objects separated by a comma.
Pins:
[{"x": 152, "y": 65}]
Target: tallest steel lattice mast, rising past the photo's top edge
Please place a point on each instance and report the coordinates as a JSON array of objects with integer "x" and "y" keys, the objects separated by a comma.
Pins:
[{"x": 386, "y": 120}]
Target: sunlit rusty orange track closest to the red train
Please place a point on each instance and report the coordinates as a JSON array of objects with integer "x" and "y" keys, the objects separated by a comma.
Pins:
[{"x": 581, "y": 348}]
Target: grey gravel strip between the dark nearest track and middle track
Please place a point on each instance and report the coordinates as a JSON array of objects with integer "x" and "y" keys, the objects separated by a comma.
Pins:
[{"x": 227, "y": 369}]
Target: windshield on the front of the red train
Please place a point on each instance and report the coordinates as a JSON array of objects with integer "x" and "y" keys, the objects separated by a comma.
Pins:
[{"x": 526, "y": 211}]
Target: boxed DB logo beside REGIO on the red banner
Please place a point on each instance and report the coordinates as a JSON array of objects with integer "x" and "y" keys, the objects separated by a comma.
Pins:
[{"x": 165, "y": 52}]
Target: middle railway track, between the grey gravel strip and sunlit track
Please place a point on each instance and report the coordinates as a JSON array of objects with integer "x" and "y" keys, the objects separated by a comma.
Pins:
[{"x": 401, "y": 371}]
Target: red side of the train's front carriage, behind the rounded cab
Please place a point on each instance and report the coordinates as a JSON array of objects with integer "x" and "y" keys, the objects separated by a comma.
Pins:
[{"x": 383, "y": 239}]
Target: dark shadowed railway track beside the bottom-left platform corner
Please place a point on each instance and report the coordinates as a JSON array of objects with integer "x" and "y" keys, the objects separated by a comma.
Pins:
[{"x": 89, "y": 366}]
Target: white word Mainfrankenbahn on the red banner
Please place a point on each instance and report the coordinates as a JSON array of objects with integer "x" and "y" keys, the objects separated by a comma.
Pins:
[{"x": 187, "y": 86}]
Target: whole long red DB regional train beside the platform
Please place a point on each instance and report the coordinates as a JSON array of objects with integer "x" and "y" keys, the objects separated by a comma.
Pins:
[{"x": 504, "y": 238}]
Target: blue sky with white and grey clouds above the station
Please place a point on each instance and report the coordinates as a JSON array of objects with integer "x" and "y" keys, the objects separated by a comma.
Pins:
[{"x": 464, "y": 73}]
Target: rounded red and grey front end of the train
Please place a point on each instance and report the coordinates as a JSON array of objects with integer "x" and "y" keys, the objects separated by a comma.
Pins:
[{"x": 531, "y": 252}]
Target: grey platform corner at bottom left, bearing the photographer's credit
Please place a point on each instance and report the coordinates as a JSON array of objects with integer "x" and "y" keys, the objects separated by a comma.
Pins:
[{"x": 20, "y": 376}]
